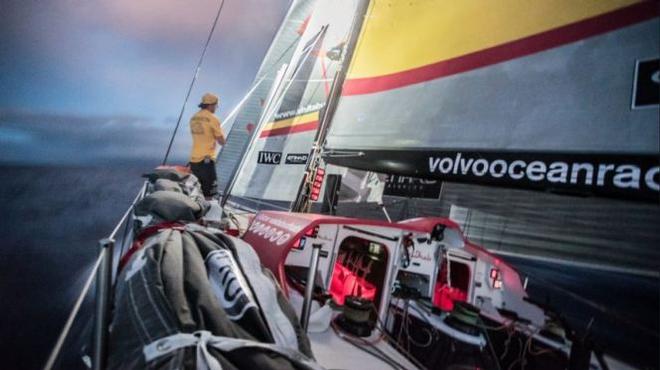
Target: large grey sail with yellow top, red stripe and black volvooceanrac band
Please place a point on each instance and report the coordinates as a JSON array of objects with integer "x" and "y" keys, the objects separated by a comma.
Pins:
[{"x": 540, "y": 95}]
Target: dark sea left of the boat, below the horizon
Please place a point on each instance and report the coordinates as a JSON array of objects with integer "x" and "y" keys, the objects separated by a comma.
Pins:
[{"x": 50, "y": 221}]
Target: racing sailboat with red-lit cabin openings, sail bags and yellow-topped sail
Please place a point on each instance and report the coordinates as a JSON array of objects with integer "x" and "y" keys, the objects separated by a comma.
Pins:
[{"x": 514, "y": 95}]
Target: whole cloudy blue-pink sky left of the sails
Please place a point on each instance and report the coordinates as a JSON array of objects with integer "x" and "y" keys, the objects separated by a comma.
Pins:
[{"x": 88, "y": 82}]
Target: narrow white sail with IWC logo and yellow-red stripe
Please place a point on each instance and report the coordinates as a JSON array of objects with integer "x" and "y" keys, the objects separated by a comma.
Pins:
[{"x": 273, "y": 167}]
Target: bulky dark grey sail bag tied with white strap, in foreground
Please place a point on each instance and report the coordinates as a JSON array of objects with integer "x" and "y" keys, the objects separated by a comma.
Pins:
[{"x": 192, "y": 297}]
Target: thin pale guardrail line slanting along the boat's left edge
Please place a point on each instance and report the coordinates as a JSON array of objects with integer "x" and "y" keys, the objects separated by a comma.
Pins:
[{"x": 57, "y": 348}]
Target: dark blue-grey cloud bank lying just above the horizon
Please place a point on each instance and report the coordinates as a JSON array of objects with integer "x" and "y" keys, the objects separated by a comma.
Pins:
[{"x": 29, "y": 137}]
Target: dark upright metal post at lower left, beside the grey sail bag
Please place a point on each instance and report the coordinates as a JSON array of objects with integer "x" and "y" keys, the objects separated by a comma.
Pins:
[{"x": 103, "y": 289}]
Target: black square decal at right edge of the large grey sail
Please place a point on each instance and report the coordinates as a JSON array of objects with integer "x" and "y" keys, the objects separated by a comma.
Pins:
[{"x": 646, "y": 91}]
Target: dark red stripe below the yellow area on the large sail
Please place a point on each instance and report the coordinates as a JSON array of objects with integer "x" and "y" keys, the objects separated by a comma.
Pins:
[{"x": 529, "y": 45}]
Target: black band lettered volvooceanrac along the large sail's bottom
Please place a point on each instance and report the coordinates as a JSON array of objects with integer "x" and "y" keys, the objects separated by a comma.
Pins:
[{"x": 624, "y": 176}]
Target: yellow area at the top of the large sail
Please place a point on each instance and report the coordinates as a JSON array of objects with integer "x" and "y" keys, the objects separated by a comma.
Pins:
[{"x": 403, "y": 35}]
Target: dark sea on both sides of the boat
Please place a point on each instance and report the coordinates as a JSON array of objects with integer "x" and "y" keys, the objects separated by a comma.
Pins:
[{"x": 51, "y": 218}]
